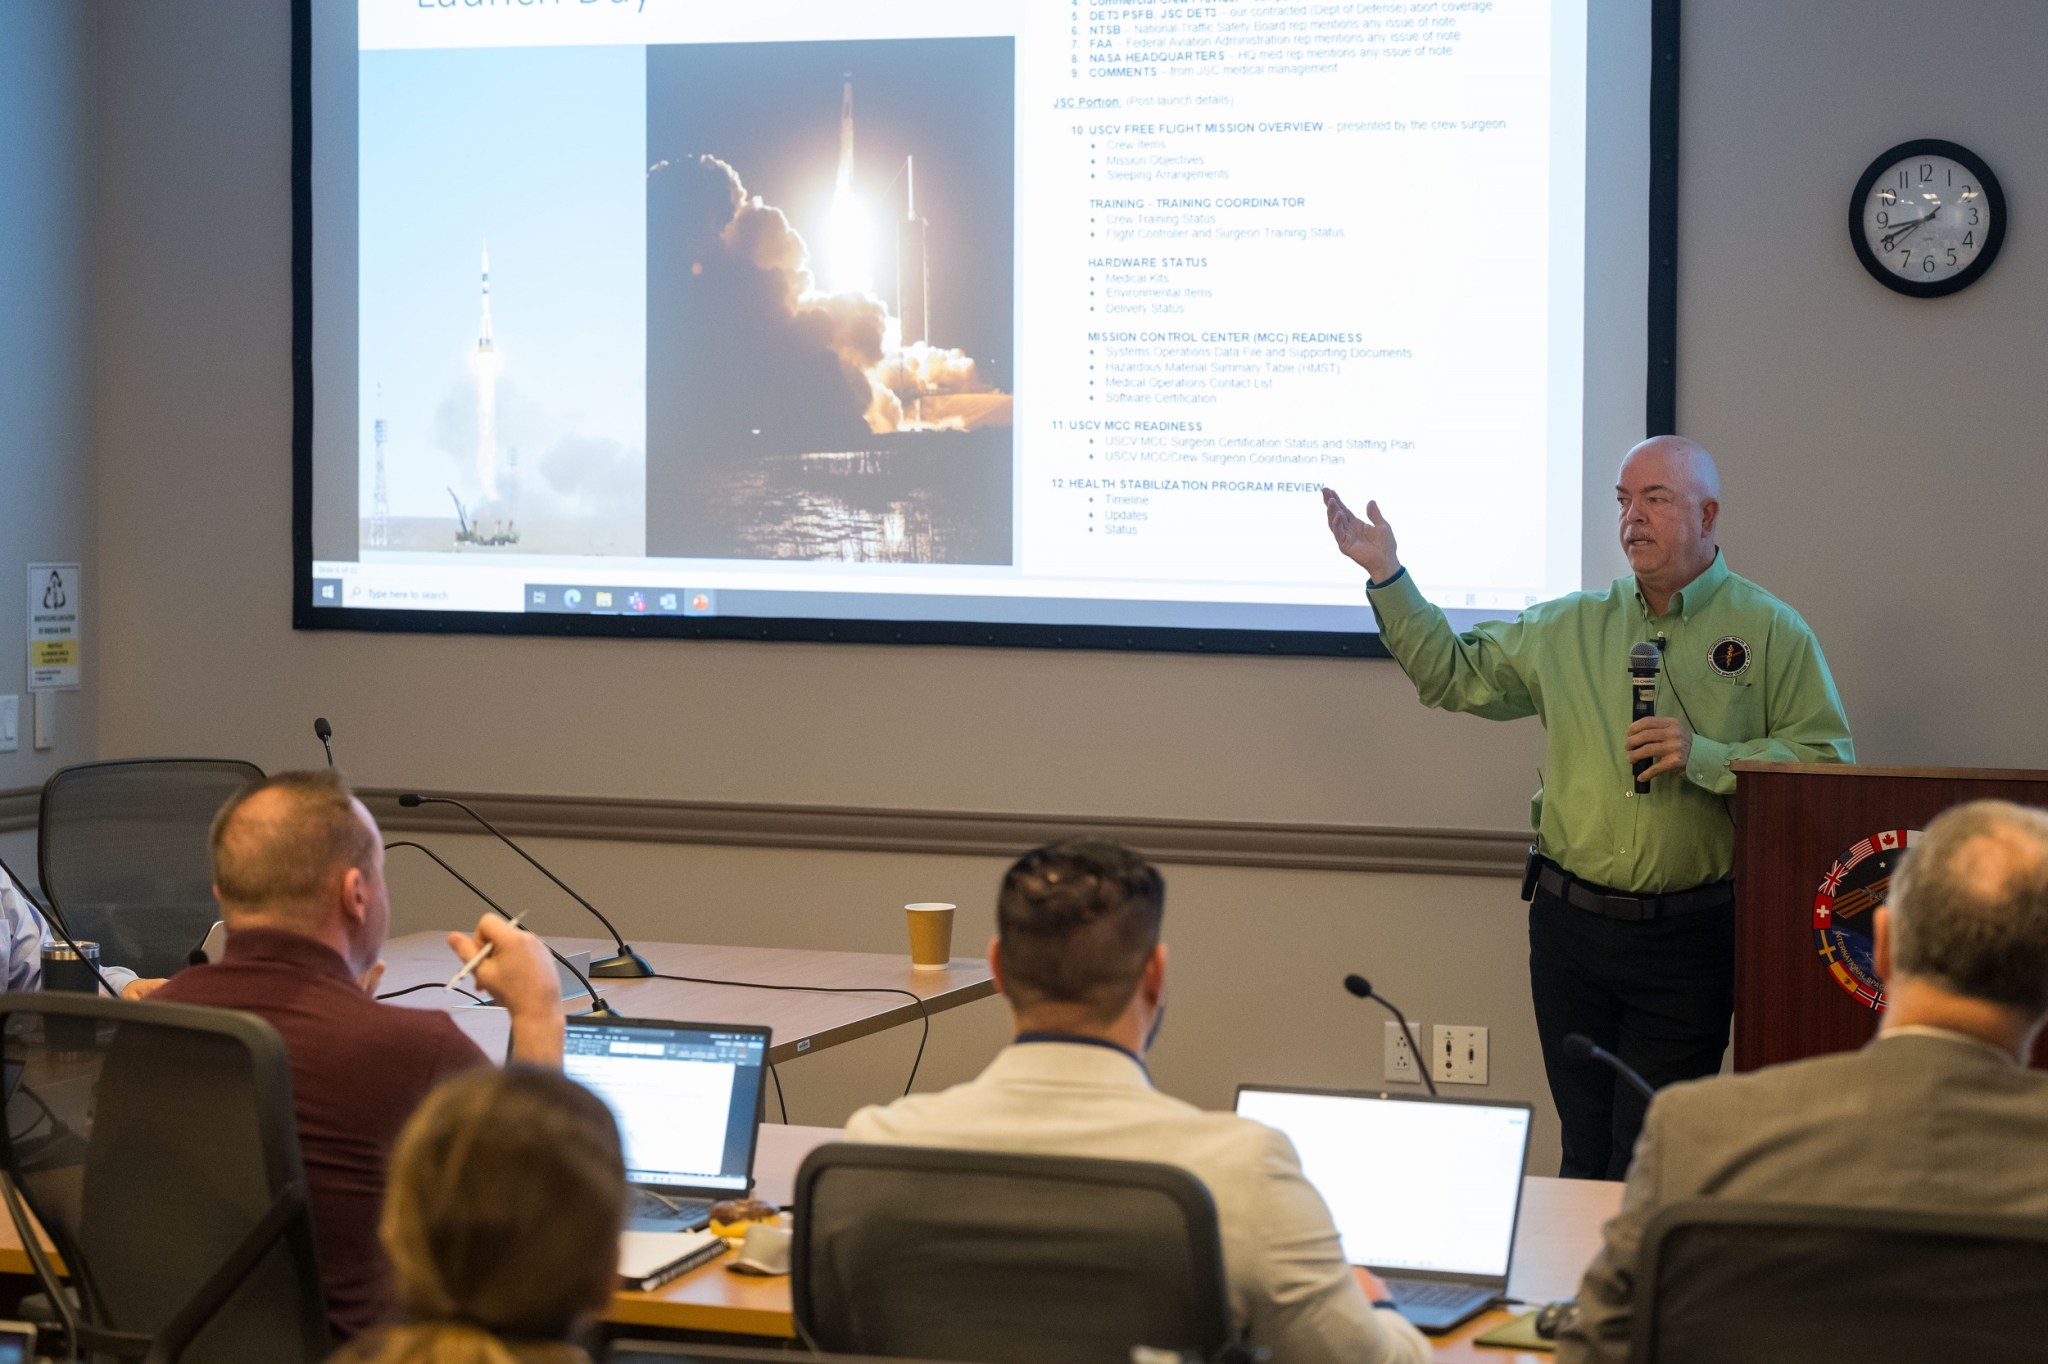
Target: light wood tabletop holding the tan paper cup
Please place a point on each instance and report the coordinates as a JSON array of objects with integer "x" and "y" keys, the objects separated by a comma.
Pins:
[{"x": 808, "y": 998}]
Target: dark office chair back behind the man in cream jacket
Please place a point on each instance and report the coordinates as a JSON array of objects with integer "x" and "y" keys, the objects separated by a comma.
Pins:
[{"x": 1005, "y": 1259}]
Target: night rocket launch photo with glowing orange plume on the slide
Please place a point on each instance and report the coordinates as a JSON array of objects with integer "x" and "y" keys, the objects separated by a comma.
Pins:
[{"x": 830, "y": 302}]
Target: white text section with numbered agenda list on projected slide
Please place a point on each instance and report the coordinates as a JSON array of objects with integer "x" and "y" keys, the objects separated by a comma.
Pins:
[{"x": 1293, "y": 245}]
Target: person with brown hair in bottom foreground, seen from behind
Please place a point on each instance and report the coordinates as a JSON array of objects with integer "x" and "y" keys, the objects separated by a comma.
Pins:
[{"x": 503, "y": 1224}]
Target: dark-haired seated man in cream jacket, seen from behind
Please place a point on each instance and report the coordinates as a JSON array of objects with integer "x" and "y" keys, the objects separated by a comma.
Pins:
[{"x": 1080, "y": 962}]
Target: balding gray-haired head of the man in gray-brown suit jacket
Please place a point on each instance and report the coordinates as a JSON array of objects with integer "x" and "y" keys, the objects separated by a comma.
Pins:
[{"x": 1969, "y": 910}]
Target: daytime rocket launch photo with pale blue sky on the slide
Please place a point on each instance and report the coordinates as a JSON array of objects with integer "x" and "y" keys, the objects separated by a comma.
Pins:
[{"x": 505, "y": 407}]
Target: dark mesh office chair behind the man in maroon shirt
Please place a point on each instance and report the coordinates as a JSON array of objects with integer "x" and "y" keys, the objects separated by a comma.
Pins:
[{"x": 157, "y": 1148}]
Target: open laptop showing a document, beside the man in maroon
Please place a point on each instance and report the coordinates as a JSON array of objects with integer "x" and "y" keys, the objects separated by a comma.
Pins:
[{"x": 687, "y": 1101}]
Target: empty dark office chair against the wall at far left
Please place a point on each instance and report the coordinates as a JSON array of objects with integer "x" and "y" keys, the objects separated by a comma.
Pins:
[{"x": 124, "y": 857}]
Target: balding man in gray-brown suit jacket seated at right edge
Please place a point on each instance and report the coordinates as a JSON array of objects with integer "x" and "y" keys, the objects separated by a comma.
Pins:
[{"x": 1934, "y": 1115}]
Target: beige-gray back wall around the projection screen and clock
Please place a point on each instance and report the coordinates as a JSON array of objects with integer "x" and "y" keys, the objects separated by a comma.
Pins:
[{"x": 1881, "y": 466}]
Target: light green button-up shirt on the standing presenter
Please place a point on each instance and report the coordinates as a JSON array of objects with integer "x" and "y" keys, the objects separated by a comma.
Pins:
[{"x": 1740, "y": 669}]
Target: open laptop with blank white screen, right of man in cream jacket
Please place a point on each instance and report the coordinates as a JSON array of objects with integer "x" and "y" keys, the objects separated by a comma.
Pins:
[{"x": 1424, "y": 1191}]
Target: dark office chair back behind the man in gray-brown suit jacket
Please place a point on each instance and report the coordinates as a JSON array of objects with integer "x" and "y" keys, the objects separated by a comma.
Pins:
[{"x": 1789, "y": 1285}]
